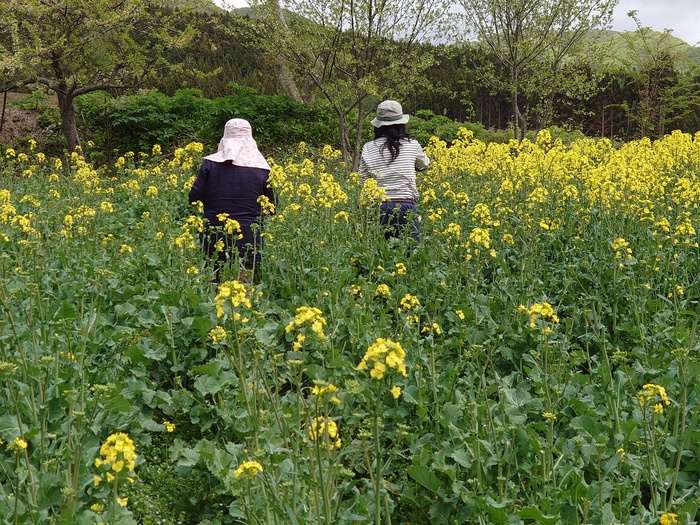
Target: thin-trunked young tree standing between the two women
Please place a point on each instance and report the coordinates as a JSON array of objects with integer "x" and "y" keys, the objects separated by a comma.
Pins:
[{"x": 354, "y": 51}]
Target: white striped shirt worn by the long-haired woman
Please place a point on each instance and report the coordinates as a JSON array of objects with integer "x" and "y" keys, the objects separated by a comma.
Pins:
[{"x": 398, "y": 178}]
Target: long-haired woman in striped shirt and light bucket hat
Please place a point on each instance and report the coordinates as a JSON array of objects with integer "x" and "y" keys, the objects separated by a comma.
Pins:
[{"x": 393, "y": 158}]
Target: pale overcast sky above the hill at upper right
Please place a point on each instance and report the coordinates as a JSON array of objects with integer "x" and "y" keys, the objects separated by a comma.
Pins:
[{"x": 683, "y": 16}]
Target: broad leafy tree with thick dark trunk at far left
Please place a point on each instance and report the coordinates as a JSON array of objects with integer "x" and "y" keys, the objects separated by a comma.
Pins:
[{"x": 73, "y": 47}]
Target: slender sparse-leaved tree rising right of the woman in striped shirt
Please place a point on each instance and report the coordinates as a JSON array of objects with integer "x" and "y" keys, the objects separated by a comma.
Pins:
[{"x": 531, "y": 40}]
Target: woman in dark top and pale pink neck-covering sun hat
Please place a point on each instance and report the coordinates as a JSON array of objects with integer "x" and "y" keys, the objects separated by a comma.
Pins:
[{"x": 229, "y": 184}]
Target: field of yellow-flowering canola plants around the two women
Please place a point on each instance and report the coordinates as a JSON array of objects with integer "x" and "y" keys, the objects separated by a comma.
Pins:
[{"x": 533, "y": 360}]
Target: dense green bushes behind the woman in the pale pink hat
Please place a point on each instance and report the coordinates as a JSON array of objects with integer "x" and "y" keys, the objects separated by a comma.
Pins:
[{"x": 136, "y": 122}]
